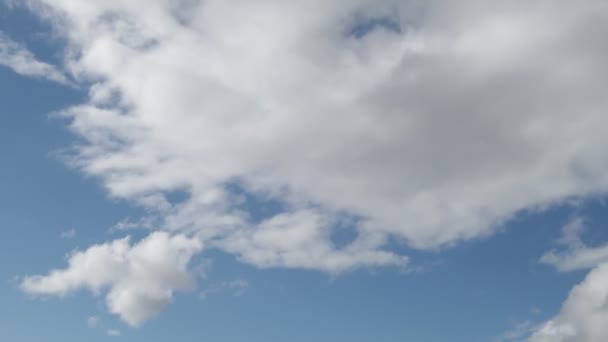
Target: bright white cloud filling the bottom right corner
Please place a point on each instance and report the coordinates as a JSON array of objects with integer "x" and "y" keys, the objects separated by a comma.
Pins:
[{"x": 583, "y": 315}]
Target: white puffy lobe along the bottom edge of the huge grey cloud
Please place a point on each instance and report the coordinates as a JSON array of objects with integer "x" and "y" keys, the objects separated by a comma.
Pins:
[{"x": 300, "y": 240}]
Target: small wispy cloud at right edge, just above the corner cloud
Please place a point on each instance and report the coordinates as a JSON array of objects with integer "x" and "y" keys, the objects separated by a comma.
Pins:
[{"x": 575, "y": 254}]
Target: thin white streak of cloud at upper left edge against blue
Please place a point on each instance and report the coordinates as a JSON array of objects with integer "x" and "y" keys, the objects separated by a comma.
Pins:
[{"x": 22, "y": 61}]
